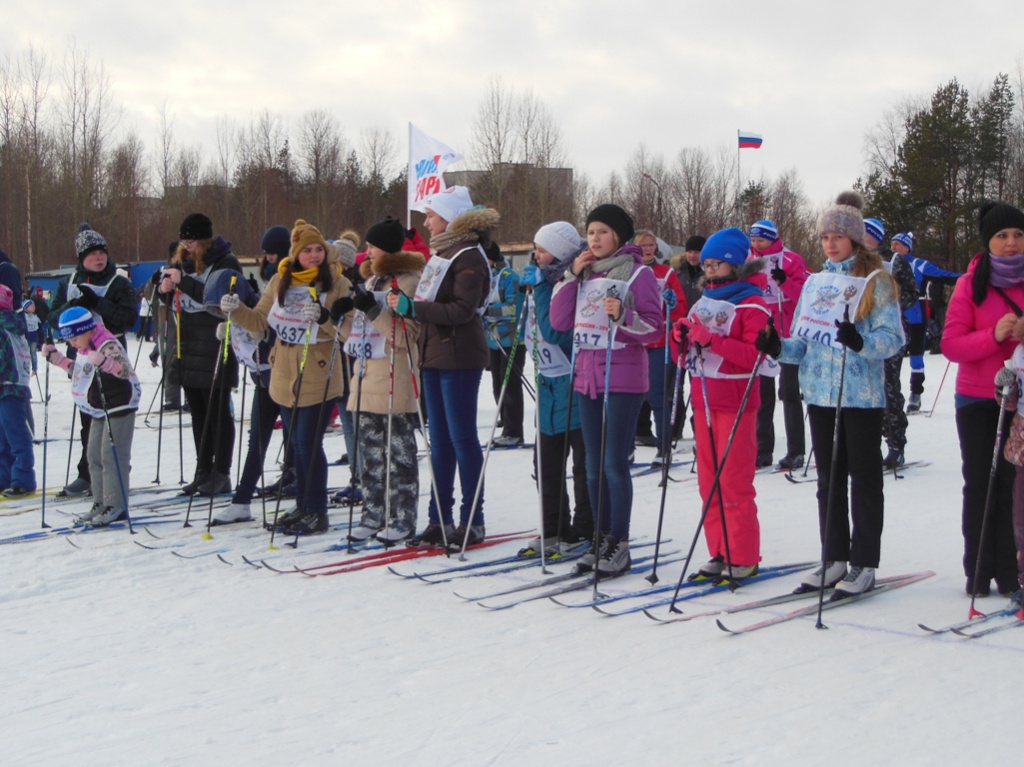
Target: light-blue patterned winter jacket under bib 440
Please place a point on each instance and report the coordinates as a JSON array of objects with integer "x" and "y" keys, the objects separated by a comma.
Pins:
[{"x": 865, "y": 379}]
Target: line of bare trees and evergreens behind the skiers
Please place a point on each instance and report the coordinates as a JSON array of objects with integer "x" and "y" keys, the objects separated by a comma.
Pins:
[{"x": 66, "y": 158}]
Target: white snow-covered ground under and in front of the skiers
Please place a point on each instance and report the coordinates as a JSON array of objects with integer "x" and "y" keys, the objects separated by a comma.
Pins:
[{"x": 114, "y": 655}]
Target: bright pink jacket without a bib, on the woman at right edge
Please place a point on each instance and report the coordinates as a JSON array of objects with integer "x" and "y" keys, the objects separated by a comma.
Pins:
[{"x": 969, "y": 339}]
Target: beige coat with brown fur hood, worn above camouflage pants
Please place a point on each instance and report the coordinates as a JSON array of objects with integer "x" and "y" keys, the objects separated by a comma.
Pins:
[{"x": 406, "y": 268}]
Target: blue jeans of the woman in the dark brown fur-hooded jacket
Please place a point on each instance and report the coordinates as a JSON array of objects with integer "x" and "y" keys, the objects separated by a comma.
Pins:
[{"x": 451, "y": 398}]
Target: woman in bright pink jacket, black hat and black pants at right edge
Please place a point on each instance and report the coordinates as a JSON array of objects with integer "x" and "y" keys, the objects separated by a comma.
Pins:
[{"x": 978, "y": 336}]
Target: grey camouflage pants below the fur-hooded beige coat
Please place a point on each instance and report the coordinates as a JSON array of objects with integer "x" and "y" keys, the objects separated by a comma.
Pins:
[{"x": 405, "y": 472}]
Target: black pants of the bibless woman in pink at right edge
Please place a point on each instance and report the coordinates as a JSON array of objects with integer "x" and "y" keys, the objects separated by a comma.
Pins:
[{"x": 976, "y": 428}]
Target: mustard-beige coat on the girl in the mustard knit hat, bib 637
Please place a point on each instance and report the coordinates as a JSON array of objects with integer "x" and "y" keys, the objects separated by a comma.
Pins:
[{"x": 286, "y": 360}]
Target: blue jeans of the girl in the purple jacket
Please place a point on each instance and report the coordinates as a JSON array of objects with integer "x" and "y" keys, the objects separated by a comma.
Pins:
[{"x": 617, "y": 500}]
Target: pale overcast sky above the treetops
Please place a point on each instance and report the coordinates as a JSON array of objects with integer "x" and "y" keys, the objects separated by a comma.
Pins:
[{"x": 812, "y": 77}]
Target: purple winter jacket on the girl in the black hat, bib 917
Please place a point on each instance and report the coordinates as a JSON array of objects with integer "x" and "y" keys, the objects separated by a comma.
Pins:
[{"x": 643, "y": 322}]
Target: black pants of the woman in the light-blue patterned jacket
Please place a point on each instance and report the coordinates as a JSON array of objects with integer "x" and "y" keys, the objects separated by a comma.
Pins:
[{"x": 860, "y": 462}]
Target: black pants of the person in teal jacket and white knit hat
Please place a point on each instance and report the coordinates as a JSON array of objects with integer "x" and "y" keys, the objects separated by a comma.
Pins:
[{"x": 553, "y": 493}]
